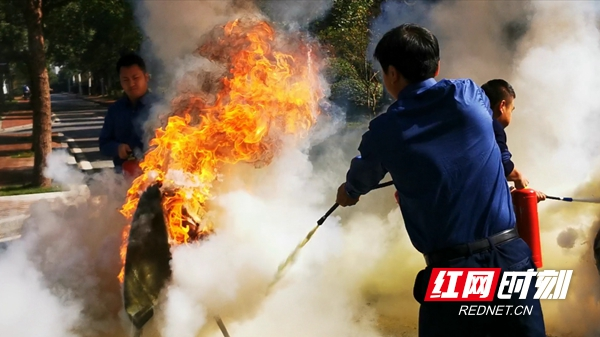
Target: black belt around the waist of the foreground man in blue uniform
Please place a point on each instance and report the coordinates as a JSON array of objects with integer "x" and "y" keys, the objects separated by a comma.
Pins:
[{"x": 441, "y": 257}]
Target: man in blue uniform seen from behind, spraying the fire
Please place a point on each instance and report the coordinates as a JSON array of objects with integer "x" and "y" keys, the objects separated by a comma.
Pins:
[{"x": 437, "y": 143}]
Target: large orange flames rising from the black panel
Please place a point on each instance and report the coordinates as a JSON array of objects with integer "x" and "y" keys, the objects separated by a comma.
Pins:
[{"x": 271, "y": 90}]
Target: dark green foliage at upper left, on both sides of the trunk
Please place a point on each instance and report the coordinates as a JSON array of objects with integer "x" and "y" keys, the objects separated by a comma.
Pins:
[{"x": 81, "y": 36}]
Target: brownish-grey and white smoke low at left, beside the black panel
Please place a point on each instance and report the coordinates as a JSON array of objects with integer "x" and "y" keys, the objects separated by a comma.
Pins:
[{"x": 59, "y": 278}]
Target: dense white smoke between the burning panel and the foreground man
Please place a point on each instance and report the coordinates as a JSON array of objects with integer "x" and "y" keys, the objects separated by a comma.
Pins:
[{"x": 228, "y": 274}]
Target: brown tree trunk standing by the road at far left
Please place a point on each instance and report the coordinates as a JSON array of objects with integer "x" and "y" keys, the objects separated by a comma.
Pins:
[{"x": 40, "y": 92}]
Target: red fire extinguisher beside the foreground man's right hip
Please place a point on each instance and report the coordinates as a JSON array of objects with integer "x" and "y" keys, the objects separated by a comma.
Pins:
[{"x": 525, "y": 205}]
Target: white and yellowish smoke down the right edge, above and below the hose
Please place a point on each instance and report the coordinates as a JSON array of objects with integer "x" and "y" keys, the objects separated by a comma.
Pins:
[{"x": 553, "y": 132}]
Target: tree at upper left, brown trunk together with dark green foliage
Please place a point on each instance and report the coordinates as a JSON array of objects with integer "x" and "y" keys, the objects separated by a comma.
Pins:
[{"x": 80, "y": 35}]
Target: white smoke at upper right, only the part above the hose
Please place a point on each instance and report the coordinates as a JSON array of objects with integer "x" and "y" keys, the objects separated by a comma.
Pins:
[{"x": 563, "y": 43}]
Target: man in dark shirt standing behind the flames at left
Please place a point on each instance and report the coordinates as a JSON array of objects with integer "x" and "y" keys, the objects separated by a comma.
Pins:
[{"x": 122, "y": 133}]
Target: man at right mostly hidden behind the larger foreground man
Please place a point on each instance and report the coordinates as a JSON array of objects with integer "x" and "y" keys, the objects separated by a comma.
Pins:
[{"x": 502, "y": 101}]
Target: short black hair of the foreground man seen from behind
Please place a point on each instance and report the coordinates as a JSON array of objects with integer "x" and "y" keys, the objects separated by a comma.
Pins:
[{"x": 413, "y": 50}]
